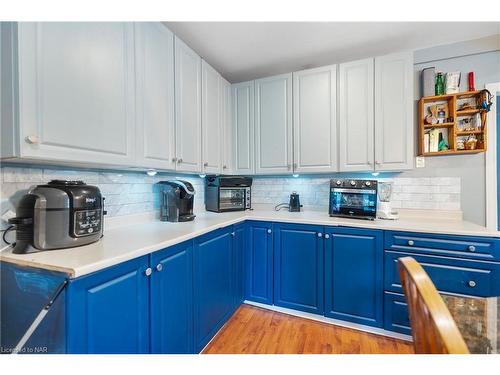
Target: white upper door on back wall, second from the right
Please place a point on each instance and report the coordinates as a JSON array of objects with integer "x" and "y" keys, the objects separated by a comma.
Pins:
[{"x": 356, "y": 128}]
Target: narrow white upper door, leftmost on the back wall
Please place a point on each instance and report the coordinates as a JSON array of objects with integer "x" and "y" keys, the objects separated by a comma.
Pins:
[{"x": 243, "y": 127}]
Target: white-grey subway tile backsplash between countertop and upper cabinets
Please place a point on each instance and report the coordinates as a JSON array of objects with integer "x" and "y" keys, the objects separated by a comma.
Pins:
[{"x": 135, "y": 192}]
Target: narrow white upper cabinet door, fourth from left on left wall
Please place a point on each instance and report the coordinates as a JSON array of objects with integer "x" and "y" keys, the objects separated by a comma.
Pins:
[{"x": 211, "y": 119}]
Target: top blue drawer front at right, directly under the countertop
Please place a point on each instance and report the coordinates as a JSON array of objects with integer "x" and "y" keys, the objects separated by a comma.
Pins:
[{"x": 480, "y": 248}]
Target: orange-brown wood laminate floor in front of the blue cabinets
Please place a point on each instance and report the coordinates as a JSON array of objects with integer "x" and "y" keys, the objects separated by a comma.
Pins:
[{"x": 252, "y": 330}]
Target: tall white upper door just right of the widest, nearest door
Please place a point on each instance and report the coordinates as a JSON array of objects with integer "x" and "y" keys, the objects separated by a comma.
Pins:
[{"x": 155, "y": 96}]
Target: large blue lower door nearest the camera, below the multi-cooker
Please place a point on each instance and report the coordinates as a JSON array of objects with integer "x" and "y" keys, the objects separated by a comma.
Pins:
[{"x": 108, "y": 311}]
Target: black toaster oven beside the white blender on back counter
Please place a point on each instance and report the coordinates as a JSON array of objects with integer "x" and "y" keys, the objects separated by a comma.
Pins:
[{"x": 353, "y": 198}]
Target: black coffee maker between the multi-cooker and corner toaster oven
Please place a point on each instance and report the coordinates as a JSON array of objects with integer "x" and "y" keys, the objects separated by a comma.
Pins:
[{"x": 177, "y": 198}]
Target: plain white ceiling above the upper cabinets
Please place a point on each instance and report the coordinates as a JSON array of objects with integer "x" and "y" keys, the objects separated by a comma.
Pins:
[{"x": 243, "y": 51}]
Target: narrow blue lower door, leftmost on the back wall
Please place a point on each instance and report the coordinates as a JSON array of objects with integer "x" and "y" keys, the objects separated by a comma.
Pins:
[{"x": 259, "y": 262}]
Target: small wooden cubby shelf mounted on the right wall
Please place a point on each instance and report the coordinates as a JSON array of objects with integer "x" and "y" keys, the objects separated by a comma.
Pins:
[{"x": 453, "y": 127}]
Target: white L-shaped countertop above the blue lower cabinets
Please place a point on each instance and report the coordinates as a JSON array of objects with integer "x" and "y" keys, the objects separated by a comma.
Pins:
[{"x": 125, "y": 242}]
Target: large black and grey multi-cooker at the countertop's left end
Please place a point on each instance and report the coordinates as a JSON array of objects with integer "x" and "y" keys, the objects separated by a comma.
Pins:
[{"x": 58, "y": 215}]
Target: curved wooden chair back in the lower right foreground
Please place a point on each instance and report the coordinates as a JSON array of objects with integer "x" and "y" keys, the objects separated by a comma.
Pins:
[{"x": 433, "y": 328}]
